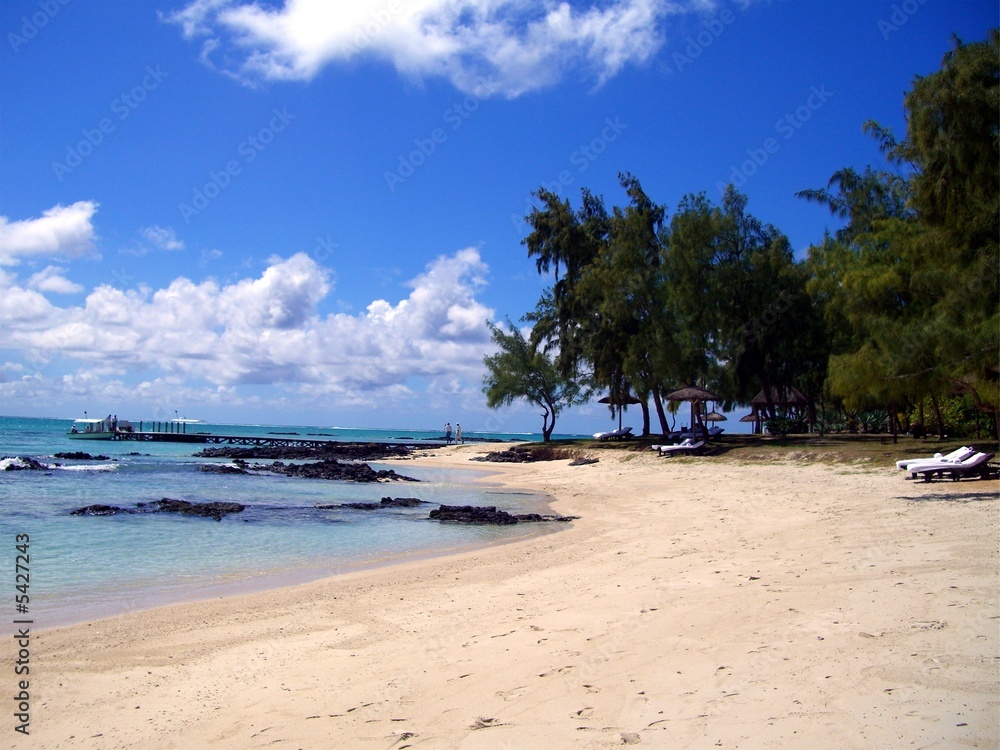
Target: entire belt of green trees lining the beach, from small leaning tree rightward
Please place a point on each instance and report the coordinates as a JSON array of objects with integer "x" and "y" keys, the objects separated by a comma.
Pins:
[{"x": 900, "y": 305}]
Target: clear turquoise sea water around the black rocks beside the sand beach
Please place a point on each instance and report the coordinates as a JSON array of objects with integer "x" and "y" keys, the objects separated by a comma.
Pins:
[{"x": 85, "y": 567}]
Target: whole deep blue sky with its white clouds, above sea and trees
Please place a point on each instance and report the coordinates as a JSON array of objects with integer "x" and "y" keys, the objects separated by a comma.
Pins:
[{"x": 295, "y": 212}]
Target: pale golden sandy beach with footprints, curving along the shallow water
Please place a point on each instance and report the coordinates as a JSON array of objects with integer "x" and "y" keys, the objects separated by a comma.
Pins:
[{"x": 696, "y": 603}]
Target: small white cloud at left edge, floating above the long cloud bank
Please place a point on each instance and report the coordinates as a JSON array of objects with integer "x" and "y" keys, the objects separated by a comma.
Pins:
[{"x": 61, "y": 231}]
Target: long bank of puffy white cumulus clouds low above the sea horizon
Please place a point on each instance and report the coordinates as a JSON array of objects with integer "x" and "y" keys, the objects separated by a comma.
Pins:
[{"x": 267, "y": 330}]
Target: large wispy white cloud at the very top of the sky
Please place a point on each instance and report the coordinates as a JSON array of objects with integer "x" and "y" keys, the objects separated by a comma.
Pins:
[{"x": 495, "y": 46}]
